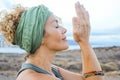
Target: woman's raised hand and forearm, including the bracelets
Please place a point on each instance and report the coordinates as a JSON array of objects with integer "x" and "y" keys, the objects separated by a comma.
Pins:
[{"x": 81, "y": 33}]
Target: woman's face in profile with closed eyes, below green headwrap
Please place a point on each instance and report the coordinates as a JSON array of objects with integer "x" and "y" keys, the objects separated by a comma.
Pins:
[{"x": 54, "y": 37}]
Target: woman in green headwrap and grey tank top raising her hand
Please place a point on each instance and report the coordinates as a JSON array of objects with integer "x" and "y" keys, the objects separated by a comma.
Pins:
[{"x": 40, "y": 34}]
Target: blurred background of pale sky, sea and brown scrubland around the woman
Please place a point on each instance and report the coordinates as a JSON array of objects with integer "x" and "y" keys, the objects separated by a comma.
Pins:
[{"x": 105, "y": 36}]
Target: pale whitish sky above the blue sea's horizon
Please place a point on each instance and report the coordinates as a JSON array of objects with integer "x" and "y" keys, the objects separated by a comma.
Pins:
[{"x": 104, "y": 14}]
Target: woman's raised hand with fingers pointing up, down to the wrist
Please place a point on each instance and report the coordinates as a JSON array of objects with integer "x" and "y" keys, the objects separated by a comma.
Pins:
[{"x": 81, "y": 24}]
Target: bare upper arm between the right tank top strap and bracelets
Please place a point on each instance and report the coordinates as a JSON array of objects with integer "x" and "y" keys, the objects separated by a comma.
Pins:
[{"x": 68, "y": 75}]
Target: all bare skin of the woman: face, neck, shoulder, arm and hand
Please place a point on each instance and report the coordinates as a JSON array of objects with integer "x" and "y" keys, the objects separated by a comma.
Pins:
[{"x": 55, "y": 40}]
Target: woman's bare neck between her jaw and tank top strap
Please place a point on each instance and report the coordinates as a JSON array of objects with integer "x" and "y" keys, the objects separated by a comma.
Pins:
[{"x": 42, "y": 59}]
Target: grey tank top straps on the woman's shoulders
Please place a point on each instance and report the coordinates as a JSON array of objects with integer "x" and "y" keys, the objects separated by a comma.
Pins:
[{"x": 39, "y": 70}]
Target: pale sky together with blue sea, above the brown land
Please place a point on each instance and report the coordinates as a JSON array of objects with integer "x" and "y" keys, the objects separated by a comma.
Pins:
[{"x": 104, "y": 18}]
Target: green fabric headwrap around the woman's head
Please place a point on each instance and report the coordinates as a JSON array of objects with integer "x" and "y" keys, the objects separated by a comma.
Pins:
[{"x": 30, "y": 29}]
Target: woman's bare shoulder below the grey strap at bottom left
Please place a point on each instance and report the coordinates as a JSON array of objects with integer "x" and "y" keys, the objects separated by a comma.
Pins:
[{"x": 32, "y": 75}]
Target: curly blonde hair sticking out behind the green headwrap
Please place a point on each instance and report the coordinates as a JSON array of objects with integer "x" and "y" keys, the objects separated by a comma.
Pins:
[{"x": 9, "y": 22}]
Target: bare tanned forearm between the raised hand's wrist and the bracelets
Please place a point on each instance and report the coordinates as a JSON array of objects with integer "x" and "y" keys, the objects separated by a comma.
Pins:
[{"x": 89, "y": 59}]
